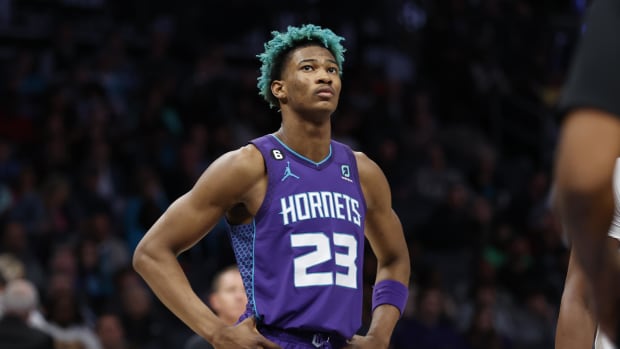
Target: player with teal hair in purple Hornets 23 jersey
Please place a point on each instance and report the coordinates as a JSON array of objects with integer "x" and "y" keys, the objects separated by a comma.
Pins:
[{"x": 299, "y": 206}]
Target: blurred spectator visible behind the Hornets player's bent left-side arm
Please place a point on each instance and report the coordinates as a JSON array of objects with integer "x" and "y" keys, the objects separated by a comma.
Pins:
[{"x": 227, "y": 298}]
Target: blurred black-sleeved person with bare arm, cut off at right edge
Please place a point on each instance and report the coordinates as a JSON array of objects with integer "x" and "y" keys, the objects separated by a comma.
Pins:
[{"x": 588, "y": 147}]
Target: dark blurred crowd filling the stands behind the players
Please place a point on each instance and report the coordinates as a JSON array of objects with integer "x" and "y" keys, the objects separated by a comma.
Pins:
[{"x": 110, "y": 110}]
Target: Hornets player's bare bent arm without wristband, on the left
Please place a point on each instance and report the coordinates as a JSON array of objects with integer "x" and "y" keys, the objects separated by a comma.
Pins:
[{"x": 223, "y": 185}]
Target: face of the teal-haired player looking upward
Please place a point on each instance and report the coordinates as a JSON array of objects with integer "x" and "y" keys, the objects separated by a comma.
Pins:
[{"x": 311, "y": 79}]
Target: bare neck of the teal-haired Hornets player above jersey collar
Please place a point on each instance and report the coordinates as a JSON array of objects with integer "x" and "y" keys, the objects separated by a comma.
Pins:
[{"x": 307, "y": 139}]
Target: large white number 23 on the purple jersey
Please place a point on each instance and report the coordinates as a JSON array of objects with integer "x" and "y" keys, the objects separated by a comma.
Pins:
[{"x": 323, "y": 253}]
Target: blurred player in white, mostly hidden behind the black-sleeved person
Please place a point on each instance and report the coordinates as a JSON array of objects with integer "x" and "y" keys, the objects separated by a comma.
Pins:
[{"x": 576, "y": 326}]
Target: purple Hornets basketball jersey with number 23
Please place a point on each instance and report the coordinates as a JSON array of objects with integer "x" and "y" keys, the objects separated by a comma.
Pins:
[{"x": 301, "y": 259}]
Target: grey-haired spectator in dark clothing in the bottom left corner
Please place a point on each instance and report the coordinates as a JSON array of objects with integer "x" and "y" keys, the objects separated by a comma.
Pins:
[{"x": 20, "y": 299}]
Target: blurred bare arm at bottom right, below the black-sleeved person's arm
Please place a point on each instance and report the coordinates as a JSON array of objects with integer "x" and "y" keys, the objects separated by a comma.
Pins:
[{"x": 576, "y": 322}]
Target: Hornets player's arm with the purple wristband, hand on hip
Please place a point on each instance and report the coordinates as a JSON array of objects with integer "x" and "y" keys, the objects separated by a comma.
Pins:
[{"x": 385, "y": 234}]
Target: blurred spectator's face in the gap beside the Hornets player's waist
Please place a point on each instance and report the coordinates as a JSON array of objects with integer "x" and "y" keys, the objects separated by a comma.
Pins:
[{"x": 229, "y": 300}]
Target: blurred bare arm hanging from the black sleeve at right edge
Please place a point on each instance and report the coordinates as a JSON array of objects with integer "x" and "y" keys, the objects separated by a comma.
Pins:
[{"x": 588, "y": 148}]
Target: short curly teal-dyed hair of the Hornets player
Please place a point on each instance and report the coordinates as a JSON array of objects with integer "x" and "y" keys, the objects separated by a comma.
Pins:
[{"x": 282, "y": 43}]
